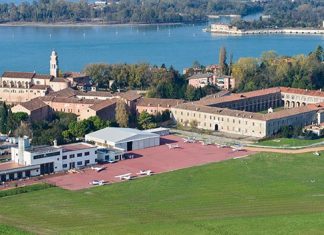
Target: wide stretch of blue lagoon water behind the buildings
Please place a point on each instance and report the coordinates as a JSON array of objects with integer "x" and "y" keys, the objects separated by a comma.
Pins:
[{"x": 28, "y": 48}]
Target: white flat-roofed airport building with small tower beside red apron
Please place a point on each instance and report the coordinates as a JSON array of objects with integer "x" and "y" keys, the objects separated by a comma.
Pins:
[{"x": 28, "y": 161}]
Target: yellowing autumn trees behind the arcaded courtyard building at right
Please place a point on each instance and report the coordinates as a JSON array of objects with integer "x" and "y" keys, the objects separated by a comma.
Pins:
[{"x": 301, "y": 71}]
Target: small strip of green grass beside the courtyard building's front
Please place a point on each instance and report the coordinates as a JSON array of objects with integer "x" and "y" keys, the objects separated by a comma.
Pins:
[{"x": 286, "y": 142}]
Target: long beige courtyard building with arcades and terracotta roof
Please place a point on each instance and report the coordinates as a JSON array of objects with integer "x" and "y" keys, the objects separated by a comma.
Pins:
[{"x": 240, "y": 113}]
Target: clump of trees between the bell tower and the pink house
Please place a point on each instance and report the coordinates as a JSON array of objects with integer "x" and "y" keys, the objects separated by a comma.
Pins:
[{"x": 159, "y": 82}]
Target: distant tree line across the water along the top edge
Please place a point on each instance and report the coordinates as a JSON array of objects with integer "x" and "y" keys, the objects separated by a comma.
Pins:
[{"x": 125, "y": 11}]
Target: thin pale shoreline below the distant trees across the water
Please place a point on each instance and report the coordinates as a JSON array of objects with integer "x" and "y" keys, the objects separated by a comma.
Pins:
[{"x": 78, "y": 24}]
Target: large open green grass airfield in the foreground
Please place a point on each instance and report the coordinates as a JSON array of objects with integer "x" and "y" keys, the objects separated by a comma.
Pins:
[{"x": 261, "y": 194}]
